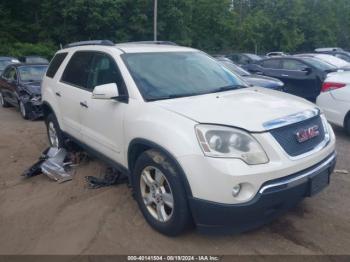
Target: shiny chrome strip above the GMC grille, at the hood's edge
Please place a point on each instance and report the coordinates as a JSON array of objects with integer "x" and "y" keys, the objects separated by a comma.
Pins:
[{"x": 291, "y": 119}]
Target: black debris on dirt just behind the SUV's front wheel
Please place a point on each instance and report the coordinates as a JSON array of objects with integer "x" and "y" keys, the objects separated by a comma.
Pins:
[{"x": 111, "y": 177}]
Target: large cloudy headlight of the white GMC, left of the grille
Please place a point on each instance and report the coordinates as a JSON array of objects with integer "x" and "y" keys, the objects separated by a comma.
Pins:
[{"x": 226, "y": 142}]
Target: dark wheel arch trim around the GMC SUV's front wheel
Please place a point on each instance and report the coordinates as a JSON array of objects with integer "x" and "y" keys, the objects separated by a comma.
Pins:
[{"x": 139, "y": 145}]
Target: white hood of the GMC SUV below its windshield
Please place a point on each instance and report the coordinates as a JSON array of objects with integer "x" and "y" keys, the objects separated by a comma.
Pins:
[{"x": 248, "y": 108}]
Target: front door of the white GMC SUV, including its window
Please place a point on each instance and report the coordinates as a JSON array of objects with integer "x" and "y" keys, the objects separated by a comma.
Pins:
[{"x": 102, "y": 120}]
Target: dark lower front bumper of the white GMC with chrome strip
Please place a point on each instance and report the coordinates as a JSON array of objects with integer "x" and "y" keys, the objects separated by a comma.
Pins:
[{"x": 274, "y": 198}]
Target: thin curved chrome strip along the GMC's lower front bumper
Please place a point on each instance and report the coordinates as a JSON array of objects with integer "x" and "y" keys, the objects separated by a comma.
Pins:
[{"x": 299, "y": 179}]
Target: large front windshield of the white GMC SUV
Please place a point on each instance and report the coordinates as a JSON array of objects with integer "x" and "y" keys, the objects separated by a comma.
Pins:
[{"x": 178, "y": 74}]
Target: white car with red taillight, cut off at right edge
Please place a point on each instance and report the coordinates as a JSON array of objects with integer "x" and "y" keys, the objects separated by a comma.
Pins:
[{"x": 335, "y": 99}]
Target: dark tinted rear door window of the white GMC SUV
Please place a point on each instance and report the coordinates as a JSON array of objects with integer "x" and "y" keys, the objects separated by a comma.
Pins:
[{"x": 78, "y": 68}]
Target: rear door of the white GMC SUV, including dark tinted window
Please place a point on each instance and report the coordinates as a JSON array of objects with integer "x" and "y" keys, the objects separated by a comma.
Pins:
[{"x": 70, "y": 90}]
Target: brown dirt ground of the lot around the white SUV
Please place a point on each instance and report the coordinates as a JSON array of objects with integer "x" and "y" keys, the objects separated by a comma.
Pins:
[{"x": 40, "y": 216}]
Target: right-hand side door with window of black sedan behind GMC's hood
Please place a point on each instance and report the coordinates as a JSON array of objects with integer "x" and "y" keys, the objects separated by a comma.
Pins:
[{"x": 299, "y": 79}]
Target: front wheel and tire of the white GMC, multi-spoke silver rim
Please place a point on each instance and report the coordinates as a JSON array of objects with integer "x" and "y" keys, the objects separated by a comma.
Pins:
[{"x": 167, "y": 191}]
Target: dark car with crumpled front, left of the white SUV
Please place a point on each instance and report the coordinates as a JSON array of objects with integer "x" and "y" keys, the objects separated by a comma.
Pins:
[{"x": 20, "y": 87}]
